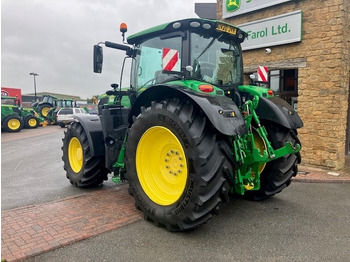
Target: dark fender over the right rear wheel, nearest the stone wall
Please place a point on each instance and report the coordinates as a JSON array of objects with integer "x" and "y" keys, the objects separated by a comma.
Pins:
[{"x": 279, "y": 111}]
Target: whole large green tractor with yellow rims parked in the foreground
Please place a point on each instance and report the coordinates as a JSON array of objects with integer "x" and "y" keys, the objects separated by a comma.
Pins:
[{"x": 187, "y": 133}]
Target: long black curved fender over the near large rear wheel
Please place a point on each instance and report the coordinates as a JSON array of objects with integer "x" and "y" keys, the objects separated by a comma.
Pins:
[{"x": 222, "y": 112}]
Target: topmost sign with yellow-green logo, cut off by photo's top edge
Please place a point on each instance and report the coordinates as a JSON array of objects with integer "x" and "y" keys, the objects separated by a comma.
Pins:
[{"x": 232, "y": 8}]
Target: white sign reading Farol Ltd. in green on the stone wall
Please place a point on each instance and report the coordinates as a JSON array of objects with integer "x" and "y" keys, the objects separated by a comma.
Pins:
[{"x": 277, "y": 30}]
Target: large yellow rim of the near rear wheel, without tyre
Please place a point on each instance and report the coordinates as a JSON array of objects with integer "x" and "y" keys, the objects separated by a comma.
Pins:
[{"x": 161, "y": 165}]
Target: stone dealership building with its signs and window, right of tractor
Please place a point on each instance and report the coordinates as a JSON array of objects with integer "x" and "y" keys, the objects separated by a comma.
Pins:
[{"x": 305, "y": 45}]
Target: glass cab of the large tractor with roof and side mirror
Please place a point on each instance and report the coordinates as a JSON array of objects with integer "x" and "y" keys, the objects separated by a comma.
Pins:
[{"x": 207, "y": 51}]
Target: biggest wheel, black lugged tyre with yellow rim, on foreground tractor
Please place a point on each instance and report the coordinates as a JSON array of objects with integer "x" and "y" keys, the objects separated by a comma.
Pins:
[{"x": 175, "y": 165}]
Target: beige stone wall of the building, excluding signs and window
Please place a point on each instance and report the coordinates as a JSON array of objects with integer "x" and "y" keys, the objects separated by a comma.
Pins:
[{"x": 323, "y": 63}]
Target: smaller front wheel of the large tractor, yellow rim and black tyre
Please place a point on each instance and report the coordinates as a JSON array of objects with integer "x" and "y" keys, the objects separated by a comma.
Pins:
[{"x": 82, "y": 168}]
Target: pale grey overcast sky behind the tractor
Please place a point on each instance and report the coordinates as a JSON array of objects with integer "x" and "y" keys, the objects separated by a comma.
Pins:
[{"x": 55, "y": 38}]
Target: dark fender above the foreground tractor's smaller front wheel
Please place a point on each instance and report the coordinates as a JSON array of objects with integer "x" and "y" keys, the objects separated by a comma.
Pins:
[{"x": 93, "y": 129}]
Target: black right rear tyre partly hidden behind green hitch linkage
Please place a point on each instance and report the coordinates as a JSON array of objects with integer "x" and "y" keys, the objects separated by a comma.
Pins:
[{"x": 277, "y": 174}]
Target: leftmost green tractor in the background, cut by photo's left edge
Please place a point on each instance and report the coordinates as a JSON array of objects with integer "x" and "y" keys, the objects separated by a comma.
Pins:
[{"x": 14, "y": 118}]
